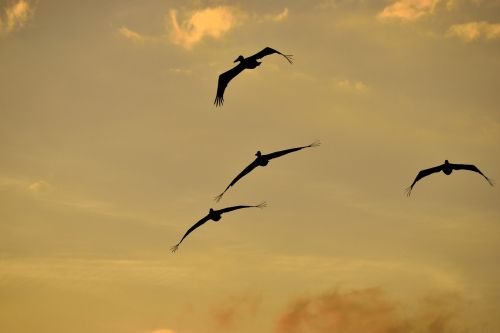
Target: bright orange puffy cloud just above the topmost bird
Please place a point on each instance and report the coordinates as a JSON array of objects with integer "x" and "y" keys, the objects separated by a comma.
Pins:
[{"x": 212, "y": 22}]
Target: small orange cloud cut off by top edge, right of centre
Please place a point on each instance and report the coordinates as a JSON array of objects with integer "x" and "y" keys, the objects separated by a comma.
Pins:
[{"x": 408, "y": 10}]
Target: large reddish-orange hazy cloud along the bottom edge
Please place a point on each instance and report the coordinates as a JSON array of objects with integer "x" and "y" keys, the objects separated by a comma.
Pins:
[{"x": 368, "y": 310}]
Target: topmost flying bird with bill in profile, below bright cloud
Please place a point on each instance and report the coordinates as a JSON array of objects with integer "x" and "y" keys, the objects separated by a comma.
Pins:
[{"x": 244, "y": 63}]
